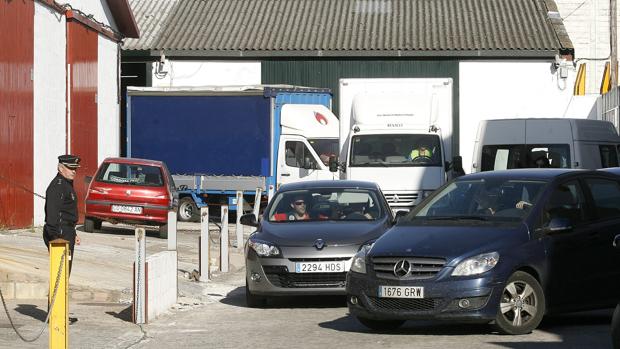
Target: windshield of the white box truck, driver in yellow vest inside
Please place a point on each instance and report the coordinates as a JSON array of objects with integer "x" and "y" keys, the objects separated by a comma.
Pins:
[{"x": 395, "y": 150}]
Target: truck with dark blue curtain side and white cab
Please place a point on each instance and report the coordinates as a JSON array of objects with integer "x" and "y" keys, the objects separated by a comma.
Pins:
[{"x": 220, "y": 140}]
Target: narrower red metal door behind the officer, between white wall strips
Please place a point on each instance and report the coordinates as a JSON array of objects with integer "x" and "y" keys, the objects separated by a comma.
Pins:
[{"x": 82, "y": 67}]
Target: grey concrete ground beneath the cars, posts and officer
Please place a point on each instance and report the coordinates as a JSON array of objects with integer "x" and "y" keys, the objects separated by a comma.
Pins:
[{"x": 214, "y": 315}]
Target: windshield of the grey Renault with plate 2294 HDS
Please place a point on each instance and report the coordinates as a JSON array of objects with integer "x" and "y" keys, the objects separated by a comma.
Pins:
[{"x": 326, "y": 204}]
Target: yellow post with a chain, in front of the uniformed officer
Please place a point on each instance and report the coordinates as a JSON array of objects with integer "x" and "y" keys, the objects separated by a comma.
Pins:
[{"x": 59, "y": 336}]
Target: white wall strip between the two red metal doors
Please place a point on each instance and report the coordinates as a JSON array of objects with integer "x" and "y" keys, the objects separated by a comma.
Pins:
[{"x": 49, "y": 100}]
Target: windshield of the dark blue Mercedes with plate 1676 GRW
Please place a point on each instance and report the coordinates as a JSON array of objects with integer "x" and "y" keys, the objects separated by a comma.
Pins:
[{"x": 480, "y": 200}]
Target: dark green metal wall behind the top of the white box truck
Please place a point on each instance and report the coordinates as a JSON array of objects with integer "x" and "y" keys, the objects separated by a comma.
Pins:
[{"x": 326, "y": 72}]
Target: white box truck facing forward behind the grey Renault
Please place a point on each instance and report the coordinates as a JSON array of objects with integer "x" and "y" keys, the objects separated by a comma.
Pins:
[{"x": 383, "y": 124}]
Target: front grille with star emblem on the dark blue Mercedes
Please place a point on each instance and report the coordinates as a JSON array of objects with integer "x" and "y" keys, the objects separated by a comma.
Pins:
[{"x": 420, "y": 267}]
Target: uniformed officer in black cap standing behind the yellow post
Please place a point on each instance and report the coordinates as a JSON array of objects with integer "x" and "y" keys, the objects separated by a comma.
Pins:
[{"x": 61, "y": 212}]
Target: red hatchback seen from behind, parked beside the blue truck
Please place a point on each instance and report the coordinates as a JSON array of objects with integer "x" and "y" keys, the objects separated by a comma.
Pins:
[{"x": 132, "y": 191}]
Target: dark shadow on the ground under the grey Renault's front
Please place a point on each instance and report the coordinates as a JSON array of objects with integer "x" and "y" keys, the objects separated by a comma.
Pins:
[{"x": 236, "y": 298}]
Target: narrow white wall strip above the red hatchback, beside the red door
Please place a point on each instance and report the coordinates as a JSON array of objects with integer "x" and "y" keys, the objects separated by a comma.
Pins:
[{"x": 108, "y": 112}]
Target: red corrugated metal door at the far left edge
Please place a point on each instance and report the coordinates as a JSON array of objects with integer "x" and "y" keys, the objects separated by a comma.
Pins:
[{"x": 16, "y": 112}]
